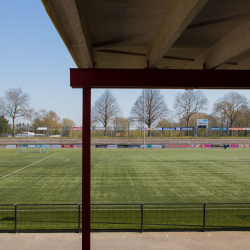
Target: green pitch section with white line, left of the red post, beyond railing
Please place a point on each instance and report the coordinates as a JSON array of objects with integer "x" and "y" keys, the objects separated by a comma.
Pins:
[{"x": 55, "y": 180}]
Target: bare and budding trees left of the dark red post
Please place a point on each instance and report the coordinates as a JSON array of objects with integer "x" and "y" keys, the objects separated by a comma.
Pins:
[{"x": 16, "y": 103}]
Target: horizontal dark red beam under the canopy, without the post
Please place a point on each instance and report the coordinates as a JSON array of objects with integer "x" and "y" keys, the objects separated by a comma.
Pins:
[{"x": 160, "y": 78}]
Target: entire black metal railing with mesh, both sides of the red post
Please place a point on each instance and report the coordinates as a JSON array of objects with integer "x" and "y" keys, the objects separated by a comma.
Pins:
[{"x": 138, "y": 217}]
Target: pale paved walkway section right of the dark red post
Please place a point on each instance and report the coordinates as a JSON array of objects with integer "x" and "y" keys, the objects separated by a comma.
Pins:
[{"x": 171, "y": 241}]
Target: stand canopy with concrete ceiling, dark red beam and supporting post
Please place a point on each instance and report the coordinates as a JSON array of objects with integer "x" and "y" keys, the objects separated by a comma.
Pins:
[{"x": 138, "y": 34}]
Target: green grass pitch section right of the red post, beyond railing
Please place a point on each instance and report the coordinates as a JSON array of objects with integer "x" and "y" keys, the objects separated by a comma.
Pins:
[{"x": 170, "y": 175}]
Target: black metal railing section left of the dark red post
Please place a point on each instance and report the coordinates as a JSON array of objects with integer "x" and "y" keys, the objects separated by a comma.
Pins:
[{"x": 41, "y": 217}]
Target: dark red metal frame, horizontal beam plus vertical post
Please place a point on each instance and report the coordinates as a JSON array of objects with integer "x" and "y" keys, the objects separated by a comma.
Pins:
[{"x": 139, "y": 78}]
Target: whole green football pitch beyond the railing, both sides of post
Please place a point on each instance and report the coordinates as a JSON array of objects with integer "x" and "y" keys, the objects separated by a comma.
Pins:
[{"x": 126, "y": 176}]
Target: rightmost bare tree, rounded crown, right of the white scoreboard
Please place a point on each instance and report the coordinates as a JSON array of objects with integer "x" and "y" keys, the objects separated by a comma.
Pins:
[{"x": 231, "y": 106}]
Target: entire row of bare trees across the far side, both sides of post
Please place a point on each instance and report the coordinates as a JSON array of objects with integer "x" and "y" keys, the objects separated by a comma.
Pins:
[{"x": 231, "y": 110}]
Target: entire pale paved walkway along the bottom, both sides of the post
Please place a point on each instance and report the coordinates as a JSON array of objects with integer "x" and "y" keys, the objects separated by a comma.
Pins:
[{"x": 128, "y": 241}]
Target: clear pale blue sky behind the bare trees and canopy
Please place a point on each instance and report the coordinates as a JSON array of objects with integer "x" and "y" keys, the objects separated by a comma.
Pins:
[{"x": 33, "y": 57}]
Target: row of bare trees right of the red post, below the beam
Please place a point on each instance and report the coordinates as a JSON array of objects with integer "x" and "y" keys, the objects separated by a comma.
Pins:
[{"x": 230, "y": 110}]
